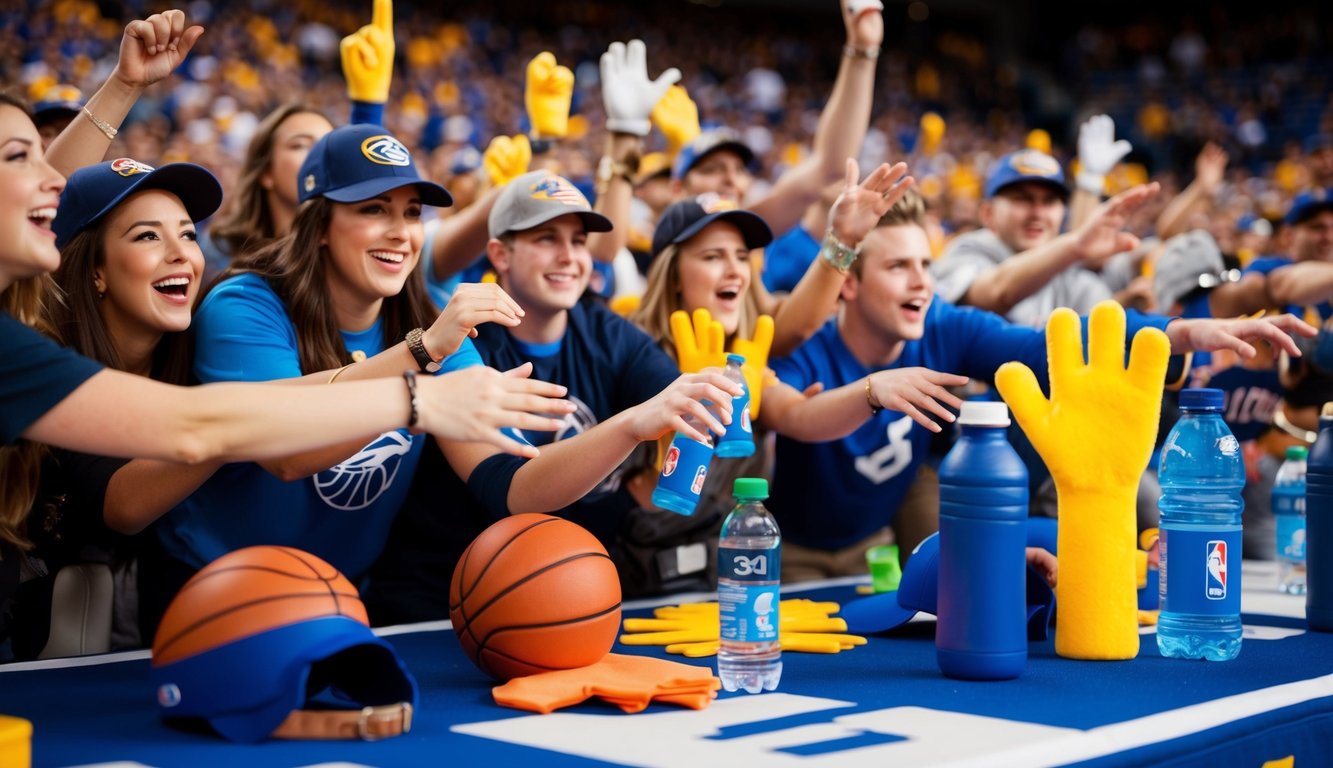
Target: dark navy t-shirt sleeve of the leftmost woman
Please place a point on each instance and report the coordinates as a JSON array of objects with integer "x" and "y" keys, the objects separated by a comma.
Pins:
[{"x": 35, "y": 375}]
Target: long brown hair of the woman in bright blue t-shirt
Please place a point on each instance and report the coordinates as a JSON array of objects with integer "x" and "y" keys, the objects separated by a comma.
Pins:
[{"x": 295, "y": 266}]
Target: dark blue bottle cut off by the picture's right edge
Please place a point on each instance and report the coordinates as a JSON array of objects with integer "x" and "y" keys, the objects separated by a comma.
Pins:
[{"x": 1319, "y": 527}]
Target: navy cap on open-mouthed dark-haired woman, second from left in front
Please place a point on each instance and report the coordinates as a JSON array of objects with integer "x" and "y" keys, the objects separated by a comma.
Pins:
[{"x": 94, "y": 191}]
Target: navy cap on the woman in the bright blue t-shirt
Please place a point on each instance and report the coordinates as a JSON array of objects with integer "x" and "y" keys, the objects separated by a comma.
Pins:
[{"x": 357, "y": 163}]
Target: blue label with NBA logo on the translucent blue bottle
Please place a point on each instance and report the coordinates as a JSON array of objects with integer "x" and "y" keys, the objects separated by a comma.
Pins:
[{"x": 1202, "y": 571}]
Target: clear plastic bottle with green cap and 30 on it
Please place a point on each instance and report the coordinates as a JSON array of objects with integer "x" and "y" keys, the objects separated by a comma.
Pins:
[{"x": 750, "y": 657}]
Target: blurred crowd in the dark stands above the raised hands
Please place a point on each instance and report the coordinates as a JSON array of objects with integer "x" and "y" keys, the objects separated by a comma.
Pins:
[{"x": 1175, "y": 77}]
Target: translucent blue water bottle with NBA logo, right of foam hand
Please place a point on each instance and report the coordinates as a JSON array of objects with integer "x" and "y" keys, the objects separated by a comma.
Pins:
[{"x": 1202, "y": 477}]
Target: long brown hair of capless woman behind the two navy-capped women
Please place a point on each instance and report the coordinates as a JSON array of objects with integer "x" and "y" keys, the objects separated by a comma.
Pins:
[{"x": 250, "y": 225}]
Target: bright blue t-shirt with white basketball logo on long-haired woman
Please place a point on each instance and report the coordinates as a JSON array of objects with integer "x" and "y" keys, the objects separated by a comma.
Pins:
[{"x": 342, "y": 514}]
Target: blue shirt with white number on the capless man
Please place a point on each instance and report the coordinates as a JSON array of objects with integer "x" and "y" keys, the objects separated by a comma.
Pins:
[{"x": 835, "y": 494}]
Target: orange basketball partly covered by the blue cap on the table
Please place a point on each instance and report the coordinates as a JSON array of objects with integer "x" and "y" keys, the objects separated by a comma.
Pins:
[{"x": 251, "y": 591}]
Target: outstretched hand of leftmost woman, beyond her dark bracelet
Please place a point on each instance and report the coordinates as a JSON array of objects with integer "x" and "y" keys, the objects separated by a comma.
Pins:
[{"x": 478, "y": 403}]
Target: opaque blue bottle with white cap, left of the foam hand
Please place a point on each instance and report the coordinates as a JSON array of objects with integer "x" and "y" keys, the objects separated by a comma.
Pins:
[{"x": 983, "y": 606}]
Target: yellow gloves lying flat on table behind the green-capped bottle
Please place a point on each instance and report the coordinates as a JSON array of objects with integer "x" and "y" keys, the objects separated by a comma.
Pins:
[{"x": 694, "y": 630}]
